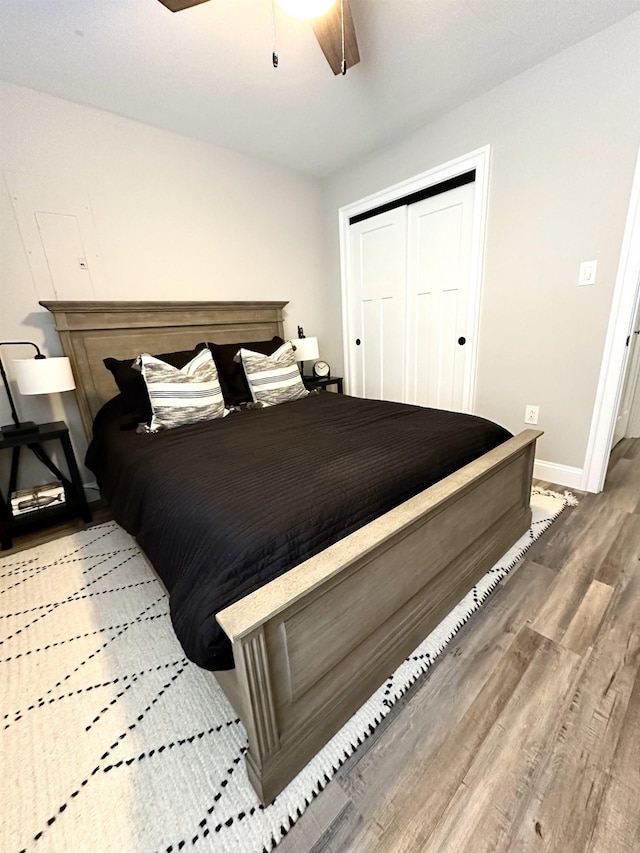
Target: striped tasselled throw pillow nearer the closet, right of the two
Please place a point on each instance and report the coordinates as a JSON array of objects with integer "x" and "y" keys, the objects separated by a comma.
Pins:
[{"x": 273, "y": 379}]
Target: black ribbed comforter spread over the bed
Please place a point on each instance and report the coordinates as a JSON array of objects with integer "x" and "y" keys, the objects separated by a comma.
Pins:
[{"x": 222, "y": 507}]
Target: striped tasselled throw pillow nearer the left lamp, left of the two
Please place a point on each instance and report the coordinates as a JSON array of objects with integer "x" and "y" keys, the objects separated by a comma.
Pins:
[{"x": 184, "y": 396}]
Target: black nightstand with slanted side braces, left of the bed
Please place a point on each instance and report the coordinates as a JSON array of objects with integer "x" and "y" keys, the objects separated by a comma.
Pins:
[{"x": 75, "y": 504}]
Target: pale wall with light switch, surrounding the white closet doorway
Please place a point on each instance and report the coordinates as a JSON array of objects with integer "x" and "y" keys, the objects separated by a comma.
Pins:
[{"x": 564, "y": 138}]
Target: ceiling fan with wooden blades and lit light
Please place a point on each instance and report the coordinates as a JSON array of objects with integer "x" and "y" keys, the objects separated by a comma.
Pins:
[{"x": 334, "y": 29}]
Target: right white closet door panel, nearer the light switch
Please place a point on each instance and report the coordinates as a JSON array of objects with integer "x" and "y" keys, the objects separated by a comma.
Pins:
[{"x": 439, "y": 246}]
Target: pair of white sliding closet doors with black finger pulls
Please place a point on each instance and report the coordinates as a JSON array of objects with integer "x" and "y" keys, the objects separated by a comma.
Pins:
[{"x": 408, "y": 296}]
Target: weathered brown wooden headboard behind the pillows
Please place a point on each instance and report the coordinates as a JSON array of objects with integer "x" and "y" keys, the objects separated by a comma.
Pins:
[{"x": 92, "y": 331}]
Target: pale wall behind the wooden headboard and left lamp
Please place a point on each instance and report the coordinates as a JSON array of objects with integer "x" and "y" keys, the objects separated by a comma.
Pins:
[{"x": 174, "y": 219}]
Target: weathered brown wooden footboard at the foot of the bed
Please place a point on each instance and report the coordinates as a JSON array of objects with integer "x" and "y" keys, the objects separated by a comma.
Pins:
[{"x": 312, "y": 646}]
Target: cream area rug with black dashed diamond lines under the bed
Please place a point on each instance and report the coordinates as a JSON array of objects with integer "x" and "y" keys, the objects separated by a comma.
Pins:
[{"x": 113, "y": 741}]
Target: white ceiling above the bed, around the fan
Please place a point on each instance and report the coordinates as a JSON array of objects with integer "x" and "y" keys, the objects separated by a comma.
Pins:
[{"x": 206, "y": 72}]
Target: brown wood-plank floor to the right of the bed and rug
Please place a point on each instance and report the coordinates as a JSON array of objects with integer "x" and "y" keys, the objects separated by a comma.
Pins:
[{"x": 525, "y": 735}]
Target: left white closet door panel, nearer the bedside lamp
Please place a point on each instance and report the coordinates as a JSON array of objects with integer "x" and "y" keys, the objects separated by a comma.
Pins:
[{"x": 377, "y": 306}]
